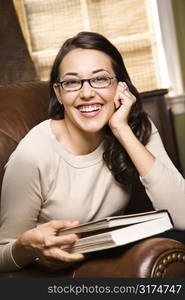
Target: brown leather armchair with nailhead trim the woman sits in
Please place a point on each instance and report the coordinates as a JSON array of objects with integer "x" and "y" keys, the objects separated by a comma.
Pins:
[{"x": 24, "y": 105}]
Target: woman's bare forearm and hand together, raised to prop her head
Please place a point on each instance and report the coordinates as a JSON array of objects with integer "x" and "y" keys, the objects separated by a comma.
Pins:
[{"x": 138, "y": 153}]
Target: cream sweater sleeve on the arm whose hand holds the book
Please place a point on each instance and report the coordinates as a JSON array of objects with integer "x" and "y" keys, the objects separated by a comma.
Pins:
[{"x": 19, "y": 206}]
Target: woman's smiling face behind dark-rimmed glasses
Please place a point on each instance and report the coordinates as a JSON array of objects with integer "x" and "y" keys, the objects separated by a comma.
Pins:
[{"x": 88, "y": 109}]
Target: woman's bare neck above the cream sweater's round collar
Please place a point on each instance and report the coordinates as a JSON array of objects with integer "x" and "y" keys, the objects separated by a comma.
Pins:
[{"x": 75, "y": 140}]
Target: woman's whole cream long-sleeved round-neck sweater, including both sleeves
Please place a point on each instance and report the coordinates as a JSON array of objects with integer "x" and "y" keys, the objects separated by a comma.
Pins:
[{"x": 43, "y": 182}]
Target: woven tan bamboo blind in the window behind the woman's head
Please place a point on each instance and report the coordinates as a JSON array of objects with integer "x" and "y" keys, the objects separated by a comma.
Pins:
[{"x": 127, "y": 23}]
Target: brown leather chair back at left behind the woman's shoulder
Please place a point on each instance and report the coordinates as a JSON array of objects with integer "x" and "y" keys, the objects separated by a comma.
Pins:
[{"x": 22, "y": 106}]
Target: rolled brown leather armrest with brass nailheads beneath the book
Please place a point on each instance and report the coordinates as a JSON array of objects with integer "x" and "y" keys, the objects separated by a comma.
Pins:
[{"x": 153, "y": 257}]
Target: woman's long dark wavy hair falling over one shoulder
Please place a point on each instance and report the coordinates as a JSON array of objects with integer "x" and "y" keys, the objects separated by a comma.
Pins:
[{"x": 115, "y": 157}]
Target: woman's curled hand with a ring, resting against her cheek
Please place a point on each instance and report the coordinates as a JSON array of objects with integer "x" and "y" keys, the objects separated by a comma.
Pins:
[{"x": 123, "y": 100}]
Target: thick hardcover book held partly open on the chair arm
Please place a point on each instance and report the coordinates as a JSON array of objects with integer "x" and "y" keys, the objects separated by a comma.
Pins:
[{"x": 116, "y": 231}]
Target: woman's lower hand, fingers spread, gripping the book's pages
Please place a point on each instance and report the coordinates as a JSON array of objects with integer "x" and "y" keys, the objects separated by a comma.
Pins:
[{"x": 44, "y": 244}]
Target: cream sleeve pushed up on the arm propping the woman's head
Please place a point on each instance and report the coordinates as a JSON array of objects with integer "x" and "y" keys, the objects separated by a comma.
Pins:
[{"x": 164, "y": 184}]
